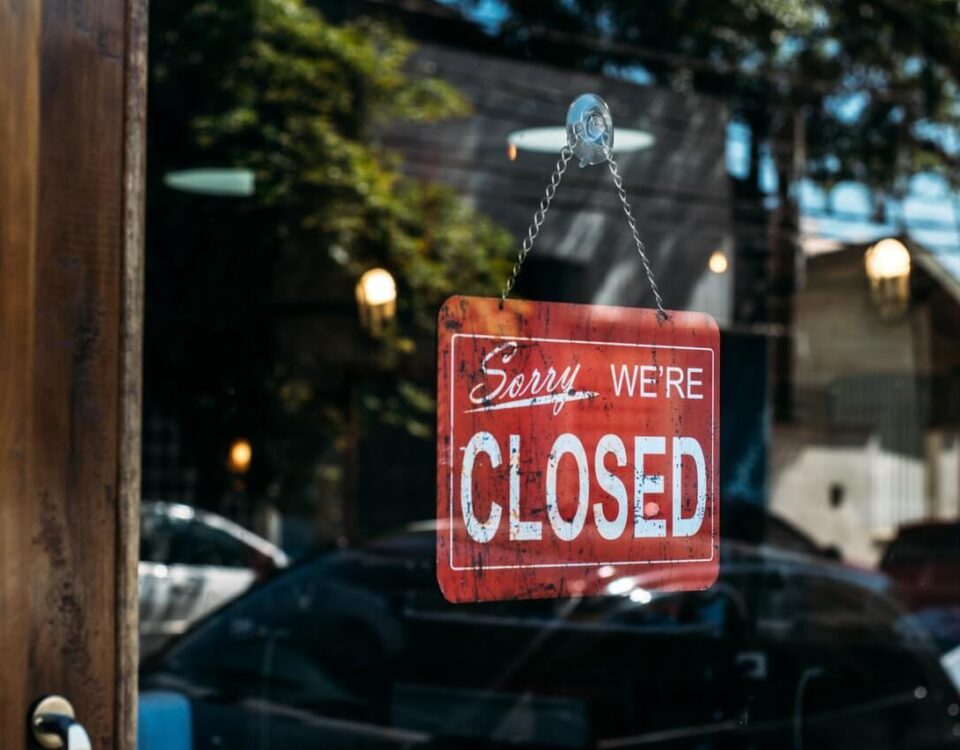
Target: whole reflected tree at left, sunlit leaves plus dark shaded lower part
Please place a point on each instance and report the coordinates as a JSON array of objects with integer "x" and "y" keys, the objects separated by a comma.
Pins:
[{"x": 270, "y": 86}]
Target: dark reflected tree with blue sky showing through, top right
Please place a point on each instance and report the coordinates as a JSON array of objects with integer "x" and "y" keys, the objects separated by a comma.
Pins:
[{"x": 866, "y": 79}]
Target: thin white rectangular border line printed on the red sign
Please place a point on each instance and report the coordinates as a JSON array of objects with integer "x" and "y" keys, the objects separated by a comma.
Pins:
[{"x": 713, "y": 454}]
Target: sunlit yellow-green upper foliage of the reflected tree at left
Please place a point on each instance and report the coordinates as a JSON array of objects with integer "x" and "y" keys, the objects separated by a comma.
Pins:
[{"x": 269, "y": 85}]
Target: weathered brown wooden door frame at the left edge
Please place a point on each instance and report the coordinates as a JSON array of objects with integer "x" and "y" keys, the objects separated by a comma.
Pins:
[{"x": 72, "y": 125}]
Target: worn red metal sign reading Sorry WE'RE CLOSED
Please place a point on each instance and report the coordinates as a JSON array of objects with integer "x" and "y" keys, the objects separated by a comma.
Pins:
[{"x": 577, "y": 446}]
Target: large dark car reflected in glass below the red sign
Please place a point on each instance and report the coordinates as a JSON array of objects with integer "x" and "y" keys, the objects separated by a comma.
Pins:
[{"x": 357, "y": 648}]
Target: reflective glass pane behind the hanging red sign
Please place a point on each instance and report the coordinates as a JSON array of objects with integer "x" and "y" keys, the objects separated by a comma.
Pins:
[{"x": 322, "y": 176}]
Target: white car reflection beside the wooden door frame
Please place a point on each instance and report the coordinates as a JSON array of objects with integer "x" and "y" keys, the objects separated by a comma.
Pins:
[{"x": 192, "y": 562}]
